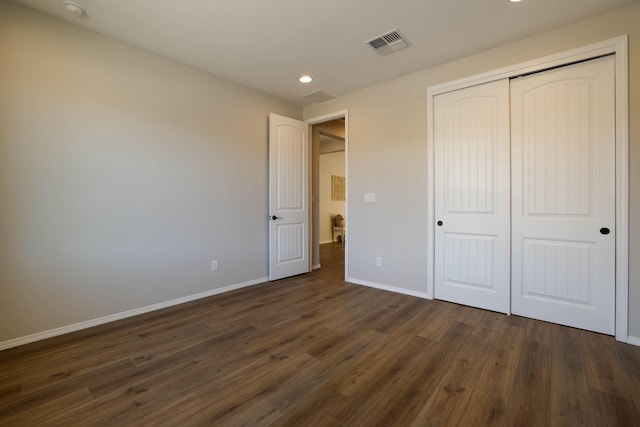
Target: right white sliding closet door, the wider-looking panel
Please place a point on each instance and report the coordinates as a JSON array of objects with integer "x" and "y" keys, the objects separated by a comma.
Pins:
[{"x": 563, "y": 179}]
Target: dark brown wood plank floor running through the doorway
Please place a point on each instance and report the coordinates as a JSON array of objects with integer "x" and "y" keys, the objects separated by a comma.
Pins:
[{"x": 315, "y": 351}]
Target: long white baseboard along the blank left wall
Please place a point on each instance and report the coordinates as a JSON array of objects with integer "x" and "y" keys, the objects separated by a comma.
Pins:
[{"x": 123, "y": 315}]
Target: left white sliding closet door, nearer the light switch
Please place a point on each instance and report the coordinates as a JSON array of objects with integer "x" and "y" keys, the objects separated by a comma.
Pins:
[{"x": 472, "y": 241}]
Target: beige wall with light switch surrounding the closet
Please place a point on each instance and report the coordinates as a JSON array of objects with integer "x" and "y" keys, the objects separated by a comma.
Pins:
[{"x": 388, "y": 154}]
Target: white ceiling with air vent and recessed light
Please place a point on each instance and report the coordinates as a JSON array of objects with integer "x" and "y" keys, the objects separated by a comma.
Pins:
[{"x": 268, "y": 44}]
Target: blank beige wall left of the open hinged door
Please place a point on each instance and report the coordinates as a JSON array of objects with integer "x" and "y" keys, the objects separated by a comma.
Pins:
[{"x": 122, "y": 175}]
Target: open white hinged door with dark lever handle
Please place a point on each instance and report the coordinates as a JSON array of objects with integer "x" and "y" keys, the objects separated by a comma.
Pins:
[{"x": 288, "y": 197}]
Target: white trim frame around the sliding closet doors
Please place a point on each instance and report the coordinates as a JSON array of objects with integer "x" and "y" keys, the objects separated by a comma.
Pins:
[{"x": 617, "y": 46}]
